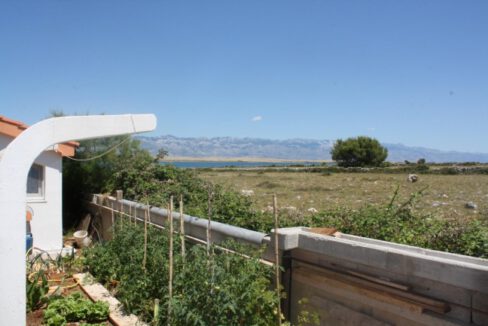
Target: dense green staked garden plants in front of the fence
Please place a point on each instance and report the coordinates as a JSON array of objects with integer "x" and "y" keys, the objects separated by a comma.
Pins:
[{"x": 220, "y": 289}]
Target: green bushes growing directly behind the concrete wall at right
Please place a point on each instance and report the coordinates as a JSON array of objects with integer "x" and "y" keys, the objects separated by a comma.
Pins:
[{"x": 396, "y": 222}]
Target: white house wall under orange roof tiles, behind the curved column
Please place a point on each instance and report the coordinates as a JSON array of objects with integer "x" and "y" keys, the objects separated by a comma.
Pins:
[{"x": 47, "y": 222}]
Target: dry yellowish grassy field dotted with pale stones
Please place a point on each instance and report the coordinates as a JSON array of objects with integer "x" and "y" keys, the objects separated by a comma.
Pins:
[{"x": 444, "y": 195}]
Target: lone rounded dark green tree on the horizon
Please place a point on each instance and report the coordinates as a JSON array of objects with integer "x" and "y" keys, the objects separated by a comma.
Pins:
[{"x": 360, "y": 151}]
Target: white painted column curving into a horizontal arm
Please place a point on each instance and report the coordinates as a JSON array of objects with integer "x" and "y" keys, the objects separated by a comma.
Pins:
[{"x": 15, "y": 163}]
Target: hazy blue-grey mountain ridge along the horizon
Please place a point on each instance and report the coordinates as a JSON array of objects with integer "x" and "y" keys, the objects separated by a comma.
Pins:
[{"x": 289, "y": 149}]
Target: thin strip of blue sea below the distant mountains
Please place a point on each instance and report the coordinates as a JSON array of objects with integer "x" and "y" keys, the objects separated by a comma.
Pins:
[{"x": 237, "y": 164}]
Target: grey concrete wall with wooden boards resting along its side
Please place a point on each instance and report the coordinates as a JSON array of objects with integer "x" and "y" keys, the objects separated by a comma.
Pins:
[{"x": 350, "y": 280}]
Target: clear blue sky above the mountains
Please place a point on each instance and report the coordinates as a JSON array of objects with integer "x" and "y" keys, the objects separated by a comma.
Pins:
[{"x": 412, "y": 72}]
